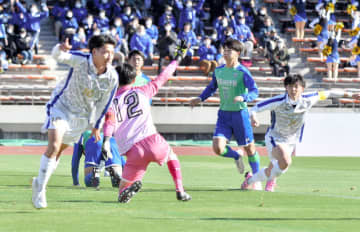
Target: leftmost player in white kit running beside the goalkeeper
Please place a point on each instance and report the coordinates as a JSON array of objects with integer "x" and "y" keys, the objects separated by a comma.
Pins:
[{"x": 78, "y": 102}]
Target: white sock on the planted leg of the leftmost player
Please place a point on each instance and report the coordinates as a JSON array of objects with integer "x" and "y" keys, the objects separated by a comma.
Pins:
[{"x": 46, "y": 169}]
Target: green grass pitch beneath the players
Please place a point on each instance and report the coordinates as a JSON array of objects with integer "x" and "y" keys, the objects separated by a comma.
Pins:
[{"x": 316, "y": 194}]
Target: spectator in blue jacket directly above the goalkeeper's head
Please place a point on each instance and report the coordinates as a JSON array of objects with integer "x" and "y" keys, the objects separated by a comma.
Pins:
[{"x": 142, "y": 42}]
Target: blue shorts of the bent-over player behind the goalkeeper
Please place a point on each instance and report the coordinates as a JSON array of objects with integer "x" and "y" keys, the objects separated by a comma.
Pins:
[{"x": 93, "y": 154}]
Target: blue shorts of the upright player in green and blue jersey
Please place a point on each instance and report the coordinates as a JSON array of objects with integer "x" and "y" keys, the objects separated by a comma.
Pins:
[{"x": 235, "y": 123}]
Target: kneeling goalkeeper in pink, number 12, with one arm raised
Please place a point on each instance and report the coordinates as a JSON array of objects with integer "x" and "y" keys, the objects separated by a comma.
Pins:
[{"x": 129, "y": 120}]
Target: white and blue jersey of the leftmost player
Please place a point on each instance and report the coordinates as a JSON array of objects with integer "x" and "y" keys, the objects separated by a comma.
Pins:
[{"x": 83, "y": 94}]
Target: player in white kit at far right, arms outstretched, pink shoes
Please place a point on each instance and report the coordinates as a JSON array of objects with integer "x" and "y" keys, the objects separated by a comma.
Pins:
[{"x": 288, "y": 112}]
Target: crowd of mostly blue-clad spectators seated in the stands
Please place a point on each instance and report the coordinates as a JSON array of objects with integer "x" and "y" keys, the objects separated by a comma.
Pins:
[{"x": 152, "y": 27}]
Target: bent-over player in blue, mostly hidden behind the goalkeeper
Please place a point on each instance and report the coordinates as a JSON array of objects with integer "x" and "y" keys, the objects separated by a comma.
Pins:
[{"x": 93, "y": 156}]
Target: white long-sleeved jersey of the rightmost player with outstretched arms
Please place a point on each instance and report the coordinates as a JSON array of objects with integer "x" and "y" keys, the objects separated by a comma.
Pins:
[{"x": 287, "y": 120}]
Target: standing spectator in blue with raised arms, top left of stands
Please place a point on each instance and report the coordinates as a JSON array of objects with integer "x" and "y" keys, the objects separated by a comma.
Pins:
[{"x": 33, "y": 19}]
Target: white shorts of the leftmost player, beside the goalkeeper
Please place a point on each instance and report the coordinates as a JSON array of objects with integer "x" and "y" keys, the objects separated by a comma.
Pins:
[{"x": 71, "y": 125}]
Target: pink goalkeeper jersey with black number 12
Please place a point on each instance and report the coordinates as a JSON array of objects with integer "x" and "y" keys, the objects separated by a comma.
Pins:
[{"x": 129, "y": 116}]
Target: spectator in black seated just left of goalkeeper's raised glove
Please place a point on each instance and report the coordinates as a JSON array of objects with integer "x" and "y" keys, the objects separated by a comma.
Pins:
[{"x": 166, "y": 44}]
